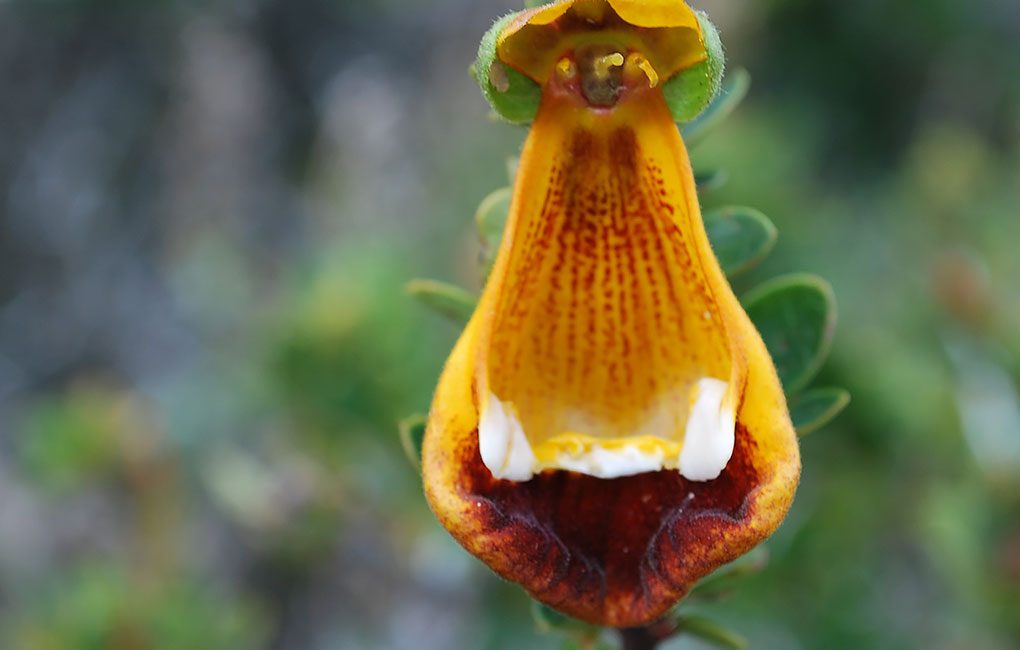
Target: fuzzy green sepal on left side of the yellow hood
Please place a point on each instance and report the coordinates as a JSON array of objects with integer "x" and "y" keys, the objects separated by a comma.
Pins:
[{"x": 514, "y": 96}]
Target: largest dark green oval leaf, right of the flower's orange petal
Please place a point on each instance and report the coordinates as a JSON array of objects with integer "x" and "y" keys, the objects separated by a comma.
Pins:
[{"x": 796, "y": 316}]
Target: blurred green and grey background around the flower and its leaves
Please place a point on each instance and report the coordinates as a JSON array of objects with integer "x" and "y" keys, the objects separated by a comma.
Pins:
[{"x": 208, "y": 216}]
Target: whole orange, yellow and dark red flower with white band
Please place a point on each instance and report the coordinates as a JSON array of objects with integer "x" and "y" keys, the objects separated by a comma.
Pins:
[{"x": 609, "y": 428}]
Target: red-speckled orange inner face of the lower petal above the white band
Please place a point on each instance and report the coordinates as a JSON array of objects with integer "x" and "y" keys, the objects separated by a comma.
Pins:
[{"x": 606, "y": 321}]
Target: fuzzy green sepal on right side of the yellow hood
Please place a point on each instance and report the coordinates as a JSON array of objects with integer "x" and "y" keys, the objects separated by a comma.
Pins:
[{"x": 692, "y": 91}]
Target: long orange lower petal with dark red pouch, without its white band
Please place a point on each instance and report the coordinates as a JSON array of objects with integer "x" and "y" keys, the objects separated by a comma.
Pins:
[{"x": 606, "y": 304}]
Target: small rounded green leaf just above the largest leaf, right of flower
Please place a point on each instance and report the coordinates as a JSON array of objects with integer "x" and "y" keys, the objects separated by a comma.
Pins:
[{"x": 741, "y": 237}]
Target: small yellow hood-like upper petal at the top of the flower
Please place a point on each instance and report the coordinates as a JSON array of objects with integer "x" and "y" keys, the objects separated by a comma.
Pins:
[{"x": 667, "y": 33}]
